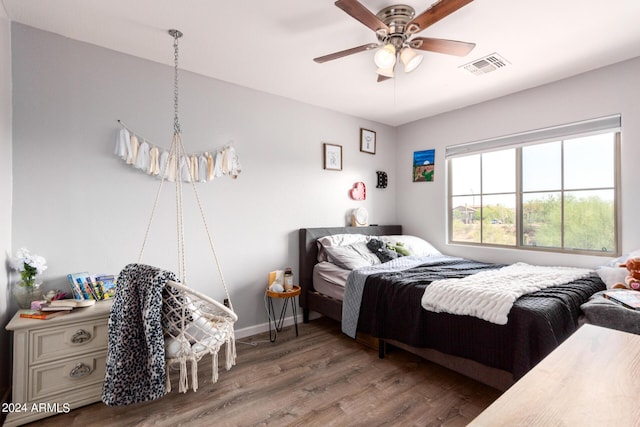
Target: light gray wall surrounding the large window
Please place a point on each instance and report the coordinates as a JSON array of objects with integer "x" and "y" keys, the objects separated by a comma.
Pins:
[{"x": 610, "y": 90}]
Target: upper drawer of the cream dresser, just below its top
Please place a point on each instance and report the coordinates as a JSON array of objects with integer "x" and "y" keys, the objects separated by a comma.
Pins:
[{"x": 68, "y": 340}]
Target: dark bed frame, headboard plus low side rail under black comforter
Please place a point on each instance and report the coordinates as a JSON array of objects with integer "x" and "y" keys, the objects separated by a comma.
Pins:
[{"x": 311, "y": 300}]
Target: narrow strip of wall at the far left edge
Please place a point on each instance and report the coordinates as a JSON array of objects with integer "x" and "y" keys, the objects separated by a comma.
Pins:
[{"x": 5, "y": 190}]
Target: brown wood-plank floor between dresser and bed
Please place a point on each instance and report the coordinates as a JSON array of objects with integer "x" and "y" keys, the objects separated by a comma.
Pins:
[{"x": 320, "y": 378}]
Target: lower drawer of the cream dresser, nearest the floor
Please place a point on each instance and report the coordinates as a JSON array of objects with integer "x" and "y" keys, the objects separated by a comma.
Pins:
[{"x": 66, "y": 375}]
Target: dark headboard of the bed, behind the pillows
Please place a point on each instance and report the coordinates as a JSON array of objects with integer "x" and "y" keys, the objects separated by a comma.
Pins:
[{"x": 310, "y": 300}]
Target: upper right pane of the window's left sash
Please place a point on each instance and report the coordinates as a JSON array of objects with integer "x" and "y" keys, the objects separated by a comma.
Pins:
[{"x": 499, "y": 172}]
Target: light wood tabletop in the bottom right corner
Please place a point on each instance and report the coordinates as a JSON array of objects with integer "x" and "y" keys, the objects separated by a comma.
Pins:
[{"x": 592, "y": 379}]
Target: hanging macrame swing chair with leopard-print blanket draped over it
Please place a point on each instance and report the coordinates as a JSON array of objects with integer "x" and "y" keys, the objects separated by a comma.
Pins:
[{"x": 193, "y": 325}]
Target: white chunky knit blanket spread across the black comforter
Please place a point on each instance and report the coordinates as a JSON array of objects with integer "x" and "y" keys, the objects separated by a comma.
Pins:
[{"x": 489, "y": 295}]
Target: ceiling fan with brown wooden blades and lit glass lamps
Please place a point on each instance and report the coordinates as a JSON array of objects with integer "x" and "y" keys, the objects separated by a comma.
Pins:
[{"x": 394, "y": 27}]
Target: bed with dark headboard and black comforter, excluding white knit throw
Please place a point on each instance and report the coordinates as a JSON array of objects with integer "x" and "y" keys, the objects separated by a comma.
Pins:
[{"x": 390, "y": 311}]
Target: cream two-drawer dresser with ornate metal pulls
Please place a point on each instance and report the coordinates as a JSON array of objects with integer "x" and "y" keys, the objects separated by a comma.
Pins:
[{"x": 58, "y": 363}]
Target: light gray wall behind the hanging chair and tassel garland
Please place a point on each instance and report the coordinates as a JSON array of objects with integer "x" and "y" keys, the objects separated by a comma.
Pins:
[{"x": 83, "y": 209}]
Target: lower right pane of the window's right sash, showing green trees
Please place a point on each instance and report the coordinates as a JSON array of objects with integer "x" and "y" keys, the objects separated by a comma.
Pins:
[{"x": 590, "y": 220}]
